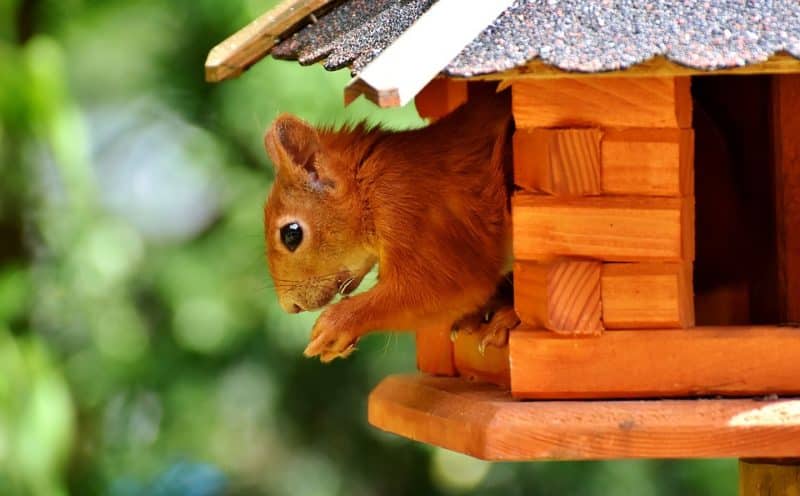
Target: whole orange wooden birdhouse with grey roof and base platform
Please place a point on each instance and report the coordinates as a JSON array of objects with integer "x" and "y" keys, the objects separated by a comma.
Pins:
[{"x": 651, "y": 145}]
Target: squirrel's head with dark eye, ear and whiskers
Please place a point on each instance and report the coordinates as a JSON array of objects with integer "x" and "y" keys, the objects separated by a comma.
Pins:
[{"x": 312, "y": 219}]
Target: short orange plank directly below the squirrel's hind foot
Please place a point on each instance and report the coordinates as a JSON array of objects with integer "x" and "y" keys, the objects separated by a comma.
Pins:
[{"x": 491, "y": 366}]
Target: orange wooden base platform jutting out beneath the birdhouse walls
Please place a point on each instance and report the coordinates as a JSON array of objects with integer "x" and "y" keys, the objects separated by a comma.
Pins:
[{"x": 485, "y": 422}]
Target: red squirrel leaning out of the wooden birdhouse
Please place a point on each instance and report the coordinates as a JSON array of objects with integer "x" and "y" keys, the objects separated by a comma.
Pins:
[{"x": 430, "y": 206}]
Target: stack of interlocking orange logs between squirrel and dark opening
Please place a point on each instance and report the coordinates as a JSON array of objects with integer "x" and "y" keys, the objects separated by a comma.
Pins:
[{"x": 605, "y": 169}]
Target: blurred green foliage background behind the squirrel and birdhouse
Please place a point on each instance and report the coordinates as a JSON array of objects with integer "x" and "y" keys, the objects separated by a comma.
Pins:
[{"x": 142, "y": 351}]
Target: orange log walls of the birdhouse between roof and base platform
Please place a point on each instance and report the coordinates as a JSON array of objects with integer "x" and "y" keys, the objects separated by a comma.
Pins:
[{"x": 604, "y": 251}]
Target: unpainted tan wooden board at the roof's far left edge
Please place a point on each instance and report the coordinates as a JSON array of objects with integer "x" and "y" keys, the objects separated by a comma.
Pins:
[{"x": 251, "y": 43}]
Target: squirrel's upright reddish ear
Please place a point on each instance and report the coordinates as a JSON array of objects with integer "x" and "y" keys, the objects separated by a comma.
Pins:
[{"x": 293, "y": 145}]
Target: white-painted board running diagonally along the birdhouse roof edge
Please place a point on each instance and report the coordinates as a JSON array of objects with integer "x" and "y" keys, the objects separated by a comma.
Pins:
[{"x": 412, "y": 61}]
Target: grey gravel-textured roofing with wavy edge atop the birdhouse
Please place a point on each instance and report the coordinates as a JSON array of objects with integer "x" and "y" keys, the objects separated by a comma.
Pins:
[{"x": 576, "y": 35}]
